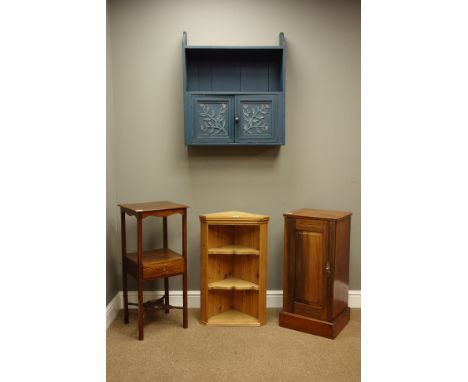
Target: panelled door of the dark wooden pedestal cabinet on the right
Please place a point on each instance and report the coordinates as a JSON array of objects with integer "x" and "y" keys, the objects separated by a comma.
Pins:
[{"x": 310, "y": 268}]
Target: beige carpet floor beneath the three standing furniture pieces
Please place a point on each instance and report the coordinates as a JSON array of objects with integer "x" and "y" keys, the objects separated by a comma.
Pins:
[{"x": 202, "y": 353}]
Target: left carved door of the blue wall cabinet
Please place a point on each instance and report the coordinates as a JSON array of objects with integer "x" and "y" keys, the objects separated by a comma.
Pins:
[{"x": 212, "y": 120}]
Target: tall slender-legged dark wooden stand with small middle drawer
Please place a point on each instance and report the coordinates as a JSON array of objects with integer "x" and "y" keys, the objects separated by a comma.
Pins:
[{"x": 156, "y": 263}]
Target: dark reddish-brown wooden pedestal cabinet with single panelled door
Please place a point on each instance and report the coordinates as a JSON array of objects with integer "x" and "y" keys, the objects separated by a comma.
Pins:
[{"x": 316, "y": 271}]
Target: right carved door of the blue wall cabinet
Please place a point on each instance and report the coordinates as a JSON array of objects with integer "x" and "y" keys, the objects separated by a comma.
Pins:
[{"x": 256, "y": 119}]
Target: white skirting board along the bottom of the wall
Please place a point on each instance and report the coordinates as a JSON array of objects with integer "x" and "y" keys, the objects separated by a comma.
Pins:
[{"x": 274, "y": 300}]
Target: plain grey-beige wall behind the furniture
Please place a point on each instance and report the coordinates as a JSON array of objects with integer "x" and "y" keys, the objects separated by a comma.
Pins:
[{"x": 319, "y": 167}]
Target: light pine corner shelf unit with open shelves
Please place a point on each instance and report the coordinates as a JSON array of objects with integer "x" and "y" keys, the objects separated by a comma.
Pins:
[{"x": 233, "y": 268}]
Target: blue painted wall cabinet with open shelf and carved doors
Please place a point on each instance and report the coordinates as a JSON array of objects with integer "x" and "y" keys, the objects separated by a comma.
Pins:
[{"x": 234, "y": 95}]
